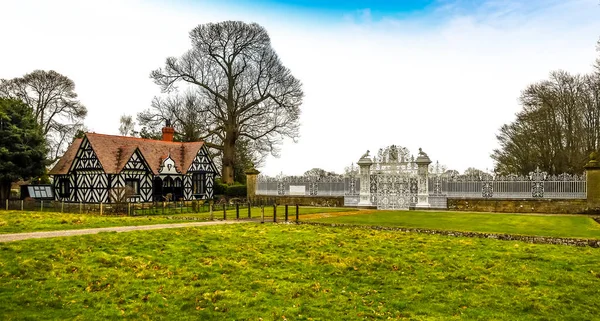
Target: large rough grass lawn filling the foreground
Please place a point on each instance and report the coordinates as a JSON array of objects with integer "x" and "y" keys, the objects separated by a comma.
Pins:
[{"x": 291, "y": 272}]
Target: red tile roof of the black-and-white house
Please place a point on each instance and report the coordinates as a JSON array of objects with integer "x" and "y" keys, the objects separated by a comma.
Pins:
[{"x": 113, "y": 152}]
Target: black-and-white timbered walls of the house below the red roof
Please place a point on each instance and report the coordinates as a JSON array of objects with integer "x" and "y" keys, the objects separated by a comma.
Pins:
[{"x": 87, "y": 181}]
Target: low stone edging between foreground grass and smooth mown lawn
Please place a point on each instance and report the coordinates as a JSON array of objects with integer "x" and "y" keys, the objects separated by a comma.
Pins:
[{"x": 495, "y": 236}]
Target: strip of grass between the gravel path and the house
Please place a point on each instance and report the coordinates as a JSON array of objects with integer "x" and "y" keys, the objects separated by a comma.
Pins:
[{"x": 18, "y": 221}]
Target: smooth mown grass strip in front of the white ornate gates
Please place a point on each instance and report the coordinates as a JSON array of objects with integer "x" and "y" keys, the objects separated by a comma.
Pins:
[{"x": 525, "y": 224}]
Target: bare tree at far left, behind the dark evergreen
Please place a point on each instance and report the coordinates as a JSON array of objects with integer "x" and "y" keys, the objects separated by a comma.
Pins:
[{"x": 53, "y": 101}]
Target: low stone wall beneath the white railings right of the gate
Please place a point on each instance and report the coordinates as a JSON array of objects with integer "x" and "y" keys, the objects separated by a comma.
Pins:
[{"x": 558, "y": 206}]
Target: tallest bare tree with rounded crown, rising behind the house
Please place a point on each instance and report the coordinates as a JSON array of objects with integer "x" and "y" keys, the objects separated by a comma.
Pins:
[{"x": 243, "y": 90}]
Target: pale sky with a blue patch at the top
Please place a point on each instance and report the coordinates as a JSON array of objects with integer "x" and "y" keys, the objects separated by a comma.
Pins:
[{"x": 441, "y": 75}]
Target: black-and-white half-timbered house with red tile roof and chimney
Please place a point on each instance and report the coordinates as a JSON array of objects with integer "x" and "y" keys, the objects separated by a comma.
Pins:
[{"x": 105, "y": 168}]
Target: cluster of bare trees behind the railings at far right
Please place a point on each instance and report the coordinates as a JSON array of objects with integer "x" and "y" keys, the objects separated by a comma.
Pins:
[{"x": 557, "y": 128}]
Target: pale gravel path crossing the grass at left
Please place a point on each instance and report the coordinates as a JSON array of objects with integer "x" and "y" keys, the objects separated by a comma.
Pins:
[{"x": 39, "y": 235}]
